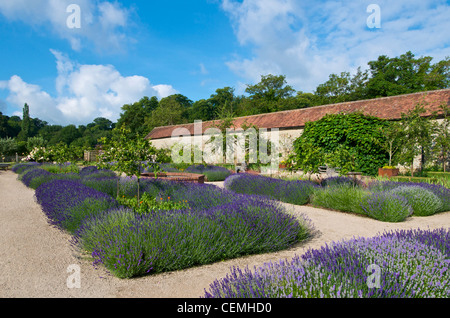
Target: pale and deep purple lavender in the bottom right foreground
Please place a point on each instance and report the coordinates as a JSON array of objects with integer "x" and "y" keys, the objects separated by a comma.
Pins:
[{"x": 413, "y": 263}]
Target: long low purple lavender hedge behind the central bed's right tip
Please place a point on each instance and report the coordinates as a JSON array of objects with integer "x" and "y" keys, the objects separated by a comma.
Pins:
[{"x": 295, "y": 192}]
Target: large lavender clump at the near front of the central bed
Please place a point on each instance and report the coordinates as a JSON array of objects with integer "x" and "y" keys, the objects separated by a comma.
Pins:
[{"x": 173, "y": 240}]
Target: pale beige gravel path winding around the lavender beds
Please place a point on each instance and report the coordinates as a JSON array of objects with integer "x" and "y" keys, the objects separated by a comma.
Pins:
[{"x": 36, "y": 259}]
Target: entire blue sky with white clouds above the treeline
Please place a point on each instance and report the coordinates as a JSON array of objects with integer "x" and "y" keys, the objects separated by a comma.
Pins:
[{"x": 125, "y": 50}]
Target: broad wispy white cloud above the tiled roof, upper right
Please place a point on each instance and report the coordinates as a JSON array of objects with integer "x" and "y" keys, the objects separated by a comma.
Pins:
[{"x": 307, "y": 41}]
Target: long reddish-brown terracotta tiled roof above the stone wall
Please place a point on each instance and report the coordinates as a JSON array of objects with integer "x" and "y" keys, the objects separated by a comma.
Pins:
[{"x": 387, "y": 108}]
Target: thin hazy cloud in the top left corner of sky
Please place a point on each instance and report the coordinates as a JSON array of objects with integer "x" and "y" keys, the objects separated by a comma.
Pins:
[{"x": 103, "y": 24}]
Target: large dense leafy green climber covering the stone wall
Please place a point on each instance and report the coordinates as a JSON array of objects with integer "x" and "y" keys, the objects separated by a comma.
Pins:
[{"x": 348, "y": 141}]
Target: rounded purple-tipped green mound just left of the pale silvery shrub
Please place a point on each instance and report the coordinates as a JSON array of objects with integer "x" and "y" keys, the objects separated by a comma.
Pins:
[{"x": 386, "y": 206}]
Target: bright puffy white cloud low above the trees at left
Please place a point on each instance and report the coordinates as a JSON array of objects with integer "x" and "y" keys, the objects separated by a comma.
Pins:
[{"x": 84, "y": 92}]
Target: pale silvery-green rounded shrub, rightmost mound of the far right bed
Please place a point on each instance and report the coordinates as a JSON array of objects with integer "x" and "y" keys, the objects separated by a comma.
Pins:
[{"x": 422, "y": 201}]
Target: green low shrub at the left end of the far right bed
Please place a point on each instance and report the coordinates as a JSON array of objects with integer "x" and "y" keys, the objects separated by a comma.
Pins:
[{"x": 343, "y": 197}]
